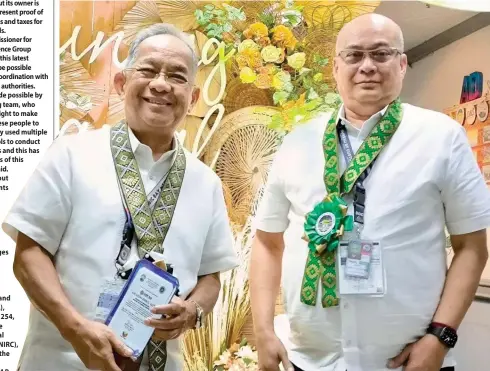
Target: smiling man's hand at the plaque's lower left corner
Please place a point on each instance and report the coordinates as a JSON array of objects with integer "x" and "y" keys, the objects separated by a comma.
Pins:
[{"x": 95, "y": 344}]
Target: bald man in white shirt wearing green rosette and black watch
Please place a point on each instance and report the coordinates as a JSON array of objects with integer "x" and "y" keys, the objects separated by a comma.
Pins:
[{"x": 363, "y": 271}]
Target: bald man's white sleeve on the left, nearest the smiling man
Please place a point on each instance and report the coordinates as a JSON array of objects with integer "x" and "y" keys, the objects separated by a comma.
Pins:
[{"x": 272, "y": 213}]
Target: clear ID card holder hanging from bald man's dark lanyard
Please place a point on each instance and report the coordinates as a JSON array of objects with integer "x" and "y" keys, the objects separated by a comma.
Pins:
[{"x": 360, "y": 268}]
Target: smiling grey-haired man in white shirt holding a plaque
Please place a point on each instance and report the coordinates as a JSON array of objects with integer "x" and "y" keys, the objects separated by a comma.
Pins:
[{"x": 102, "y": 200}]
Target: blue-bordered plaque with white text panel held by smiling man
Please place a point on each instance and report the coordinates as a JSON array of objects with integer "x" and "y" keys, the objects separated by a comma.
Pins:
[{"x": 148, "y": 286}]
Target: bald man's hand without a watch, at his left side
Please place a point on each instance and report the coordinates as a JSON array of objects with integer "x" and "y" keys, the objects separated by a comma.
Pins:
[{"x": 271, "y": 352}]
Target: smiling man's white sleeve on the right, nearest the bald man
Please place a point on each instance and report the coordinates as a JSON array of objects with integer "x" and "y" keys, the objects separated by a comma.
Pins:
[{"x": 218, "y": 253}]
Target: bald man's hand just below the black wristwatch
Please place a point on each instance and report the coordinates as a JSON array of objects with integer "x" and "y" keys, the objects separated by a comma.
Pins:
[{"x": 427, "y": 354}]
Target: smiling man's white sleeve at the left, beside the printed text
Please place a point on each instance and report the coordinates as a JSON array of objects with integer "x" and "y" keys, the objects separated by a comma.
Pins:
[{"x": 43, "y": 207}]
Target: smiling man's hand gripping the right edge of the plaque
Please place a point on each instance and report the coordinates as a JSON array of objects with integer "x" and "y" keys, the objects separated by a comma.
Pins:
[{"x": 177, "y": 317}]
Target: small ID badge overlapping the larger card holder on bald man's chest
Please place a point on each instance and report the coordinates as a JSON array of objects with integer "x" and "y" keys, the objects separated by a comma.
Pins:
[{"x": 358, "y": 261}]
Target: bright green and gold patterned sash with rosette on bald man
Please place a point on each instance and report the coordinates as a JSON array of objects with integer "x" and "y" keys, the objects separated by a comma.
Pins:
[{"x": 320, "y": 264}]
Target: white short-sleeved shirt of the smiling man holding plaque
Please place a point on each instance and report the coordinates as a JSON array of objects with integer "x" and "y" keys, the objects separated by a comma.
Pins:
[{"x": 72, "y": 207}]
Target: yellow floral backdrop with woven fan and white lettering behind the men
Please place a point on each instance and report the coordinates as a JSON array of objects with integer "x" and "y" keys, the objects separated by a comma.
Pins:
[{"x": 265, "y": 68}]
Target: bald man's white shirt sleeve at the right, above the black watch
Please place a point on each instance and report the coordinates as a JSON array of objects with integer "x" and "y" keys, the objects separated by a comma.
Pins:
[{"x": 465, "y": 195}]
